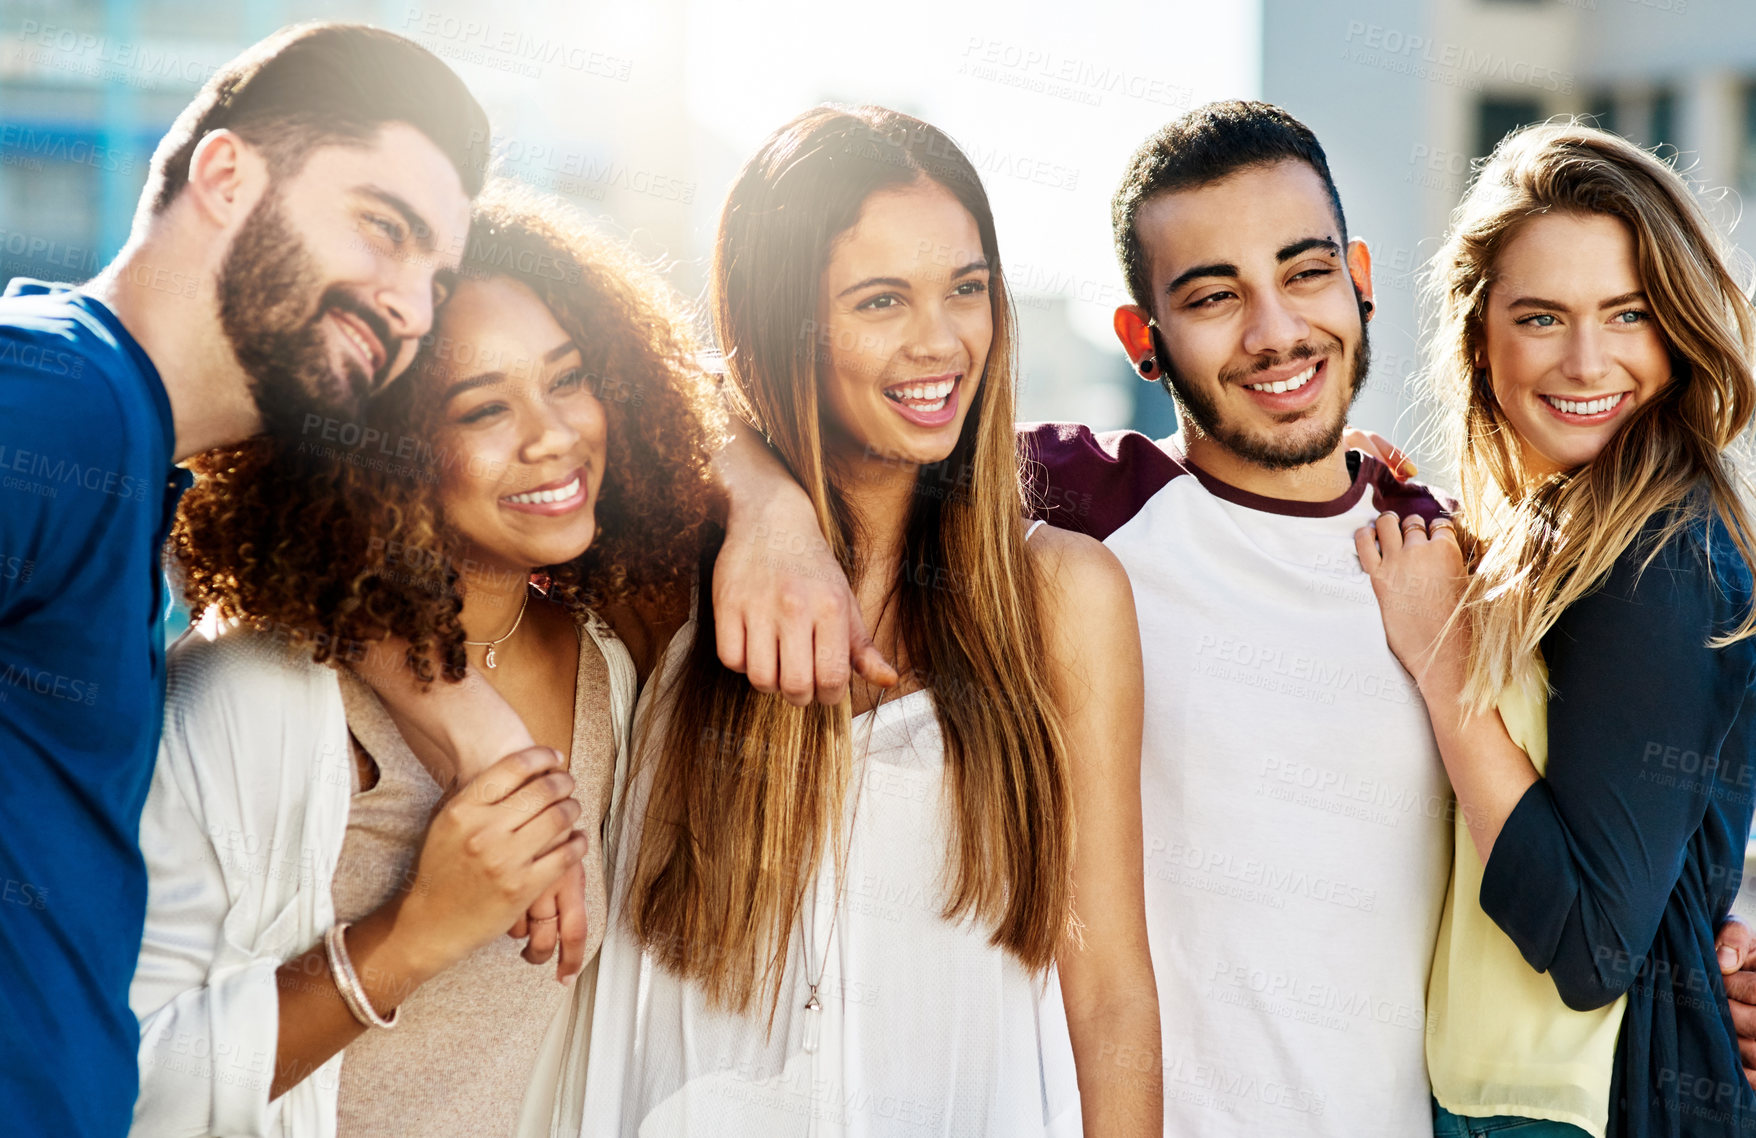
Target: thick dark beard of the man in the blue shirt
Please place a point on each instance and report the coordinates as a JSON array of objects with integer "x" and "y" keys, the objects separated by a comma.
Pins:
[{"x": 268, "y": 285}]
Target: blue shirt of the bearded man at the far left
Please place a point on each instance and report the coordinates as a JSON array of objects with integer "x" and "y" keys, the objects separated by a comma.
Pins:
[{"x": 87, "y": 498}]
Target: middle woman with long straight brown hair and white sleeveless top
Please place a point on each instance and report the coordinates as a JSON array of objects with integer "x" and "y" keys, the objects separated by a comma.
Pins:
[{"x": 867, "y": 919}]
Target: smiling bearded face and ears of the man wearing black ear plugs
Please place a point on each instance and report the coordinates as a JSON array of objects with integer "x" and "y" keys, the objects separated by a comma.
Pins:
[{"x": 1256, "y": 322}]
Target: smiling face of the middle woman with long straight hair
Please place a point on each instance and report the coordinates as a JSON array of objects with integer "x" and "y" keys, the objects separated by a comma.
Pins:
[{"x": 905, "y": 328}]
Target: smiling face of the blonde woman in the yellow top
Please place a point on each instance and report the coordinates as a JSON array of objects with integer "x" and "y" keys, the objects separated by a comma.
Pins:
[{"x": 1569, "y": 340}]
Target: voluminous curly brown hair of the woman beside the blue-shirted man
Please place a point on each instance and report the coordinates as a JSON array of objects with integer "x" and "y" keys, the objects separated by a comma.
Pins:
[{"x": 338, "y": 538}]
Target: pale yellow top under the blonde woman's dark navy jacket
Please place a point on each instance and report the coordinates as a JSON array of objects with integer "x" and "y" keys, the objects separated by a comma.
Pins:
[{"x": 1501, "y": 1042}]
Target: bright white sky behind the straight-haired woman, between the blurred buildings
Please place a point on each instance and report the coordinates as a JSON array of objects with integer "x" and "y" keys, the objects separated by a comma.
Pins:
[{"x": 1049, "y": 99}]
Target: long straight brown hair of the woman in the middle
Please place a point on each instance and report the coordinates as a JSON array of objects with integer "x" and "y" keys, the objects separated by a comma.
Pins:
[{"x": 747, "y": 791}]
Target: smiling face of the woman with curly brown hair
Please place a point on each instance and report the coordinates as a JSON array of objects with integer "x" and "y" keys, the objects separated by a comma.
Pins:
[{"x": 521, "y": 428}]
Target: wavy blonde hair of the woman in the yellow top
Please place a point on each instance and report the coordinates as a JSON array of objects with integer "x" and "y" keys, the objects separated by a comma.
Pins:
[{"x": 1541, "y": 544}]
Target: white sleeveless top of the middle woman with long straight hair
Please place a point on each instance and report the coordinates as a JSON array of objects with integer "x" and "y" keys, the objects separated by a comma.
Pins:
[{"x": 925, "y": 1026}]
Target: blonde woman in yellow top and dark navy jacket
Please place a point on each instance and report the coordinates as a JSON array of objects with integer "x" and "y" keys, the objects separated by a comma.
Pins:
[{"x": 1595, "y": 363}]
